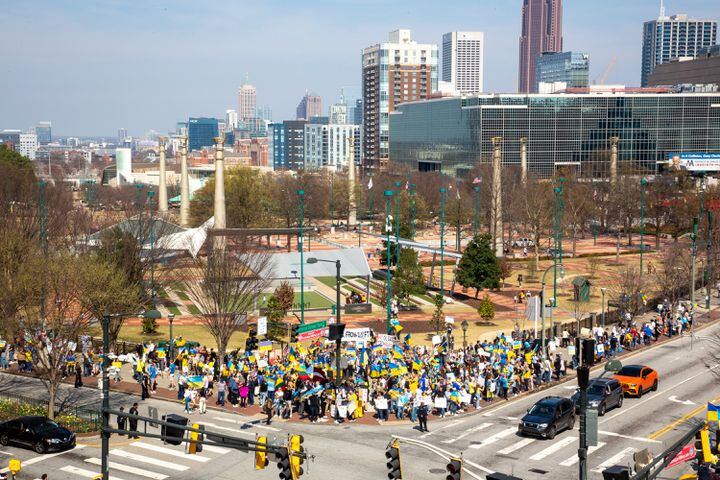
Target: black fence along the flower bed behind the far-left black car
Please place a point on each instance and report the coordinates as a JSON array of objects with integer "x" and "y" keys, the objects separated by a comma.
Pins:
[{"x": 76, "y": 419}]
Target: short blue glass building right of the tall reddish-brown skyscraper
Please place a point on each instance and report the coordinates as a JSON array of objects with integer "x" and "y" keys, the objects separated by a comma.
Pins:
[{"x": 571, "y": 68}]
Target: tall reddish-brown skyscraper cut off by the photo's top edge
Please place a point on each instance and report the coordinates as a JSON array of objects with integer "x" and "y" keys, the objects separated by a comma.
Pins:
[{"x": 541, "y": 32}]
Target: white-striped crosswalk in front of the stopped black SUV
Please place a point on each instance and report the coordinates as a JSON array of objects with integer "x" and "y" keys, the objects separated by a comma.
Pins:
[{"x": 501, "y": 436}]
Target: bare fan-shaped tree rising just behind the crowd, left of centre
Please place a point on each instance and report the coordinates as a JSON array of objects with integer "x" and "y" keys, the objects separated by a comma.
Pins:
[{"x": 224, "y": 286}]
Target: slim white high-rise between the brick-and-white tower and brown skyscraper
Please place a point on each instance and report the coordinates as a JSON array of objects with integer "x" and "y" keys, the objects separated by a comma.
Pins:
[{"x": 462, "y": 61}]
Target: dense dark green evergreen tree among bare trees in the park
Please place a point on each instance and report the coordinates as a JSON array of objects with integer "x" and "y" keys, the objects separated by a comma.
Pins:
[{"x": 479, "y": 267}]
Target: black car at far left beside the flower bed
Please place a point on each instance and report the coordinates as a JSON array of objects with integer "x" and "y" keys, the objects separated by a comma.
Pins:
[{"x": 39, "y": 433}]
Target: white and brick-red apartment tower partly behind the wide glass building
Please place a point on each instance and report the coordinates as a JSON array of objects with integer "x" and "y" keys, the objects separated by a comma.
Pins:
[{"x": 398, "y": 71}]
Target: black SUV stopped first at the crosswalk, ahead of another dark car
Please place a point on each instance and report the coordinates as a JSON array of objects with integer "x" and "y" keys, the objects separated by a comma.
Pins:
[{"x": 548, "y": 417}]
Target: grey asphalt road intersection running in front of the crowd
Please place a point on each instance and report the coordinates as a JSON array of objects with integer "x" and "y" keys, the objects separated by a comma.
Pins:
[{"x": 488, "y": 440}]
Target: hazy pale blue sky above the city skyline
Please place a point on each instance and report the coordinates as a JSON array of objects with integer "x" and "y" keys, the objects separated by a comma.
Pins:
[{"x": 93, "y": 66}]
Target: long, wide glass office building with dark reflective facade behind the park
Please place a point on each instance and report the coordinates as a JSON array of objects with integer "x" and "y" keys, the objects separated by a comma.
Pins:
[{"x": 562, "y": 130}]
